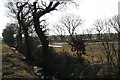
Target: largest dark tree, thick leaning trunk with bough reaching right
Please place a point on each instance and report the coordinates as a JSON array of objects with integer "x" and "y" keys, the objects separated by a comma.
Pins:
[{"x": 37, "y": 14}]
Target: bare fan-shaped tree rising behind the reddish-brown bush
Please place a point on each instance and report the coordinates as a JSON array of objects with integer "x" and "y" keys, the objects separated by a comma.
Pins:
[{"x": 71, "y": 23}]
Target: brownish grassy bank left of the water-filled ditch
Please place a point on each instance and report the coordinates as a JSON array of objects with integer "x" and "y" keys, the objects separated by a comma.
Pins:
[{"x": 12, "y": 66}]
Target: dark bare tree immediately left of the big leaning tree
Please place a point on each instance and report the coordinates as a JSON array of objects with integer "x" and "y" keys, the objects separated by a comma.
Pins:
[{"x": 25, "y": 20}]
